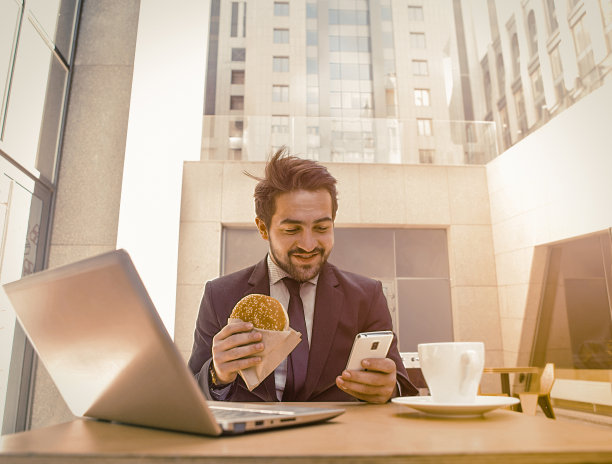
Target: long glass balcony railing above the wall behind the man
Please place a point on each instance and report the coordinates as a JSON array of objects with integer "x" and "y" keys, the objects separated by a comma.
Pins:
[{"x": 350, "y": 140}]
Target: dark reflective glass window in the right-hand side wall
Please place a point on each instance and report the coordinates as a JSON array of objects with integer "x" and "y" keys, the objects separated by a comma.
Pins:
[{"x": 575, "y": 329}]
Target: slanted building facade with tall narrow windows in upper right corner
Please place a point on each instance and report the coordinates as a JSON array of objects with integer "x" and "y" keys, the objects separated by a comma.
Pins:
[{"x": 533, "y": 59}]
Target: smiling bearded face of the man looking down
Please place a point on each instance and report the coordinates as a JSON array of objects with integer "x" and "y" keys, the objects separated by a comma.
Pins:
[{"x": 301, "y": 232}]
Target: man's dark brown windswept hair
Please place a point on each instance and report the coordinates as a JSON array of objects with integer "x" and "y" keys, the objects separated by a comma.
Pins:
[{"x": 286, "y": 173}]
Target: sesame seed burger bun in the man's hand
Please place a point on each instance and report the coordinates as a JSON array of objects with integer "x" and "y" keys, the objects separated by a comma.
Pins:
[{"x": 263, "y": 311}]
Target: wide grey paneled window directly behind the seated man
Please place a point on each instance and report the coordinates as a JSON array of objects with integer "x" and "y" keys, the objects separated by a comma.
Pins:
[{"x": 411, "y": 264}]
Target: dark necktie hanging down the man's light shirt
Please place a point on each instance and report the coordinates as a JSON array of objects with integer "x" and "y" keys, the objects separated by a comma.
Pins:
[{"x": 297, "y": 361}]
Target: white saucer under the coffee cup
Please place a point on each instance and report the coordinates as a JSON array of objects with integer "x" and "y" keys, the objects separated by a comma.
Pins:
[{"x": 481, "y": 405}]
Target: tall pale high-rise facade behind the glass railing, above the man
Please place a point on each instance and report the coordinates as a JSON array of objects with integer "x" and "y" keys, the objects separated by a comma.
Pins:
[{"x": 340, "y": 80}]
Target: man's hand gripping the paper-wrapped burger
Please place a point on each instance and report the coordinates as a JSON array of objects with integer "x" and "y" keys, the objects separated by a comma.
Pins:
[{"x": 235, "y": 348}]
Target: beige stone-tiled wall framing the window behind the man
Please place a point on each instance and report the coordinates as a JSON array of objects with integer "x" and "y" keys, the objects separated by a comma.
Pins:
[{"x": 454, "y": 197}]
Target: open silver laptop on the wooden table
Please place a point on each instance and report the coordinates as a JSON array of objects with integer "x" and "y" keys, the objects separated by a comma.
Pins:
[{"x": 98, "y": 334}]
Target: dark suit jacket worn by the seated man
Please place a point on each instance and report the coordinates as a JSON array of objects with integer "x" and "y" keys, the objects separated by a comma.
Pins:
[{"x": 345, "y": 304}]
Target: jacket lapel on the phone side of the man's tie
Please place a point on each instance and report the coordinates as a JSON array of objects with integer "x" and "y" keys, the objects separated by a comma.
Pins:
[{"x": 328, "y": 309}]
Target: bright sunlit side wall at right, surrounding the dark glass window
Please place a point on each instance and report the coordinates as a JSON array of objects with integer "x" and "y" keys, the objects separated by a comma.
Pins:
[{"x": 553, "y": 185}]
